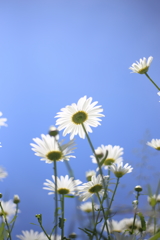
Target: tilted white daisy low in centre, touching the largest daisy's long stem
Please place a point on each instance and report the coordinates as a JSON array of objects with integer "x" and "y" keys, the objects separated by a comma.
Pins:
[{"x": 95, "y": 186}]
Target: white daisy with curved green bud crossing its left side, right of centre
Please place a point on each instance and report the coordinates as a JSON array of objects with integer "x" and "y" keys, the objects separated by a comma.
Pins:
[{"x": 108, "y": 154}]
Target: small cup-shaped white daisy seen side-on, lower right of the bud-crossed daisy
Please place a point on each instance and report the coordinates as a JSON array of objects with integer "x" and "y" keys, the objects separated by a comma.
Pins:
[{"x": 119, "y": 170}]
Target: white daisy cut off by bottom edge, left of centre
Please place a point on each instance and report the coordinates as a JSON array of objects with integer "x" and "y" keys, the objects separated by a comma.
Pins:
[{"x": 31, "y": 235}]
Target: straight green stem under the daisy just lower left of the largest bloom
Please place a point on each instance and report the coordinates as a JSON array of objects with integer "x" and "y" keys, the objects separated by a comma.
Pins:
[{"x": 56, "y": 199}]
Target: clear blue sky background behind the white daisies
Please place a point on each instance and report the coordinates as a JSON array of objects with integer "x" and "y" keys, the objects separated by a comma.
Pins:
[{"x": 53, "y": 53}]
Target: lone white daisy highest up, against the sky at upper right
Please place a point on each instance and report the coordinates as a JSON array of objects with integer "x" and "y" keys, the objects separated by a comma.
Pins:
[{"x": 142, "y": 66}]
